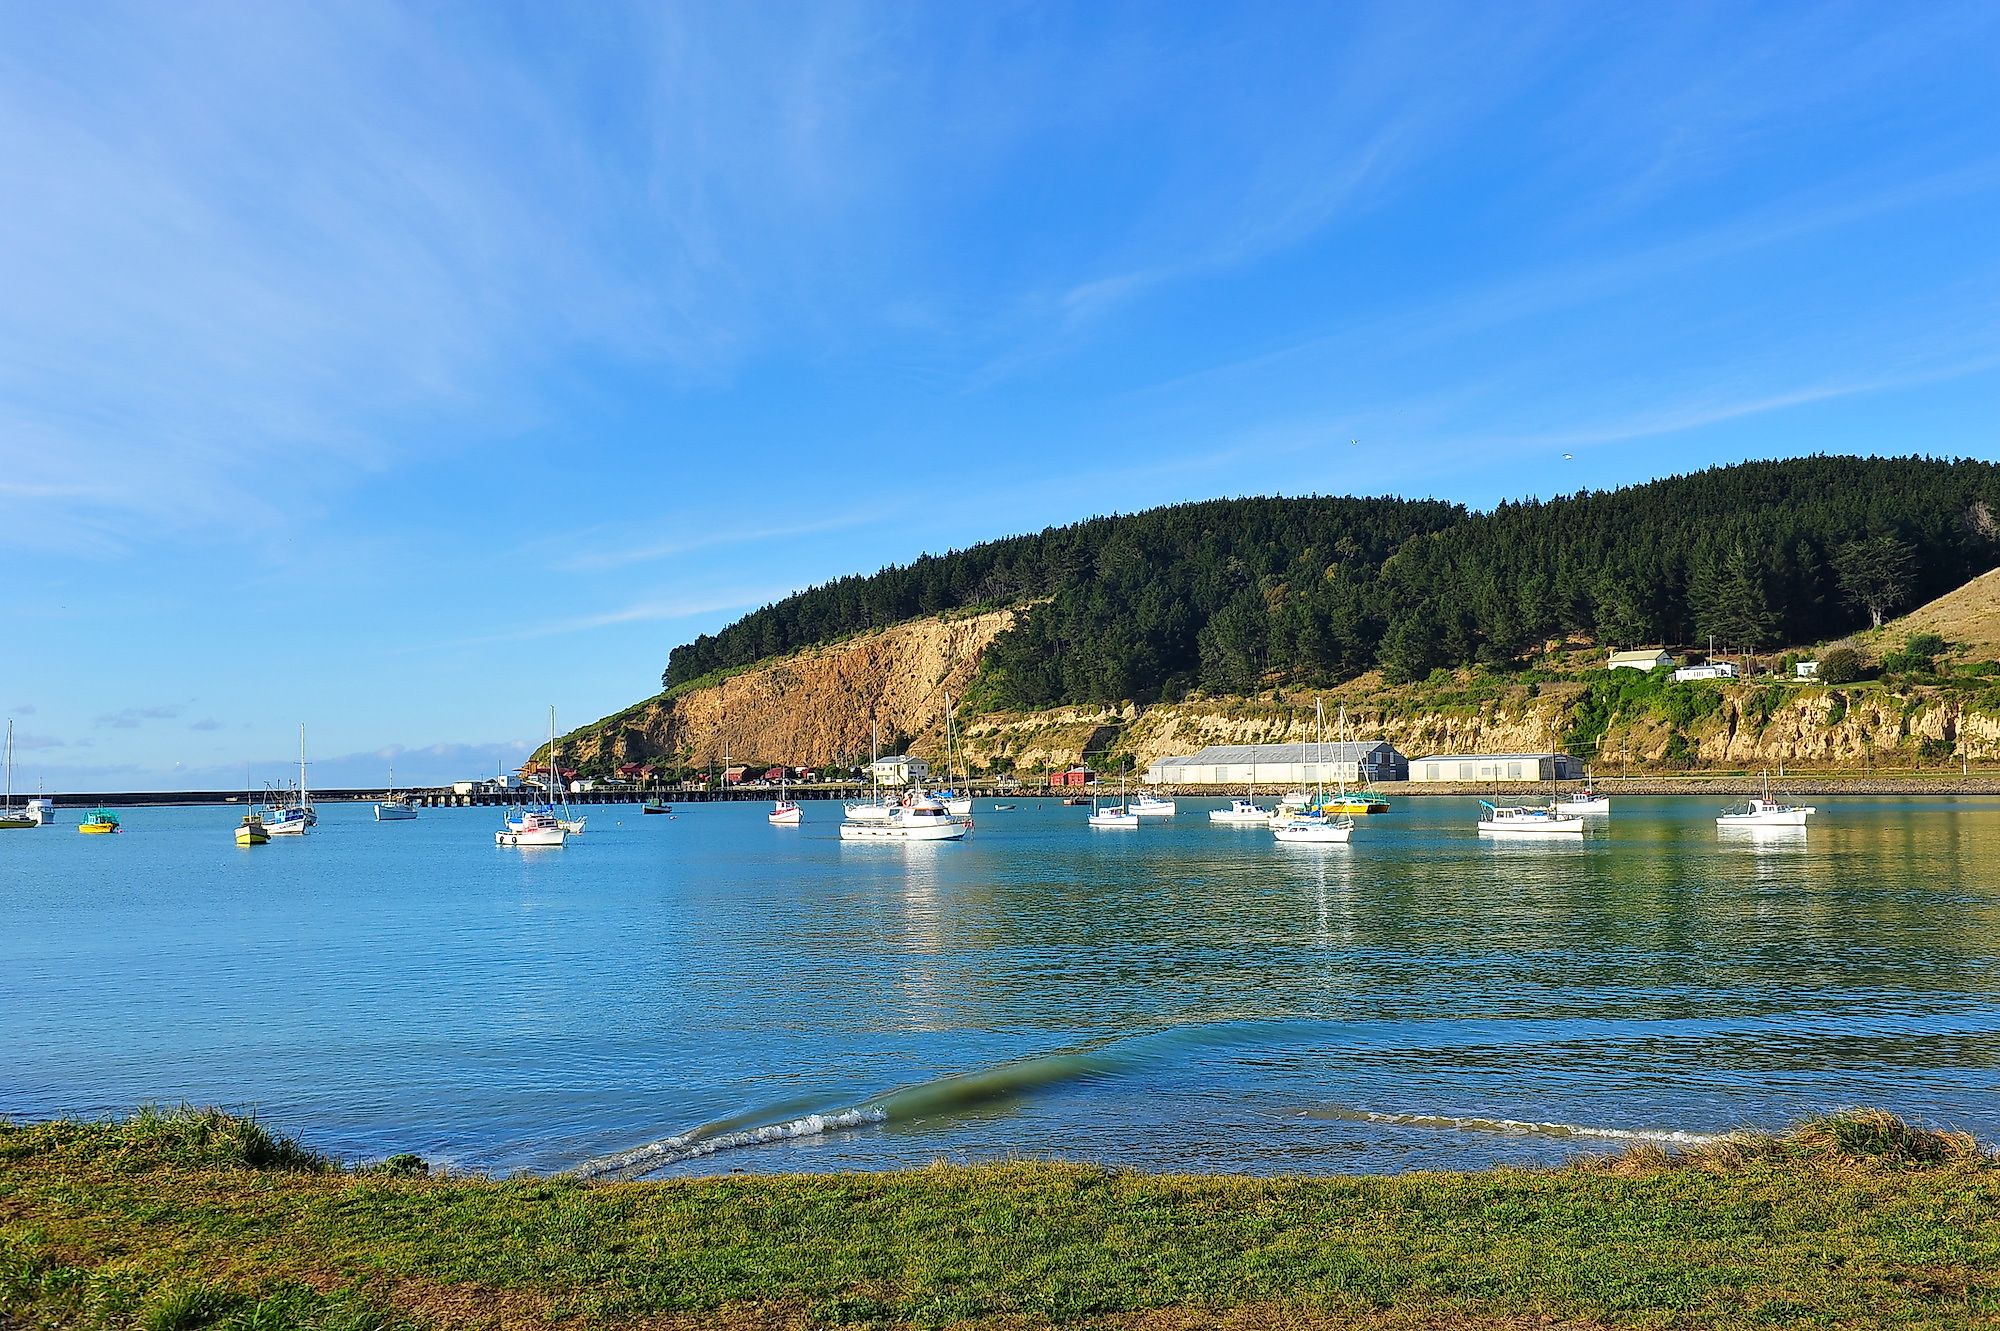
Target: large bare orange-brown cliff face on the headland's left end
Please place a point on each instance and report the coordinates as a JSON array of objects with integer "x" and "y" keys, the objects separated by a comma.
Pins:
[{"x": 813, "y": 708}]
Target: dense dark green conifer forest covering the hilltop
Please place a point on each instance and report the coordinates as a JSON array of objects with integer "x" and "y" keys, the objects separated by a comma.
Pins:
[{"x": 1225, "y": 595}]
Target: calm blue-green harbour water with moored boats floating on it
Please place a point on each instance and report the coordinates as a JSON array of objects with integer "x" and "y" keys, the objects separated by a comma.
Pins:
[{"x": 1173, "y": 998}]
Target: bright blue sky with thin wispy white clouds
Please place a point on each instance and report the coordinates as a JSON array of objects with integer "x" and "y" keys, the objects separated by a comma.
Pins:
[{"x": 407, "y": 371}]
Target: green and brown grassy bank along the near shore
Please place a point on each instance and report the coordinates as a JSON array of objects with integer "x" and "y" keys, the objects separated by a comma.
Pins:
[{"x": 203, "y": 1220}]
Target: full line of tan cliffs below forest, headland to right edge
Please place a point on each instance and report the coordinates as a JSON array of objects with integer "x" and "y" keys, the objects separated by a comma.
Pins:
[{"x": 817, "y": 708}]
